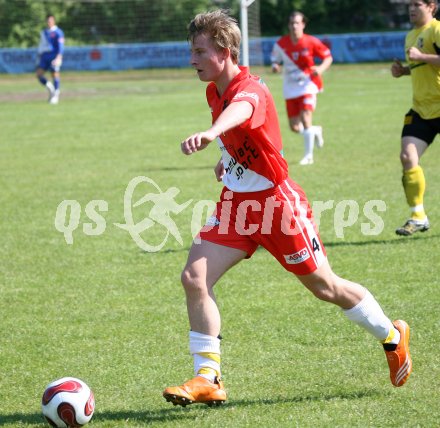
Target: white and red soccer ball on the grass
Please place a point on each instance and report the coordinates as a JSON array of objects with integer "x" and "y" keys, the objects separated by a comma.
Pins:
[{"x": 68, "y": 402}]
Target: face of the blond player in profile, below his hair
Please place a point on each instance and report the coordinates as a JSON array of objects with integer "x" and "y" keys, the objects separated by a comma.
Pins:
[{"x": 208, "y": 61}]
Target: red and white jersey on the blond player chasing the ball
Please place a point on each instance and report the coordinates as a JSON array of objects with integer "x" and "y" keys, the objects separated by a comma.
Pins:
[{"x": 251, "y": 152}]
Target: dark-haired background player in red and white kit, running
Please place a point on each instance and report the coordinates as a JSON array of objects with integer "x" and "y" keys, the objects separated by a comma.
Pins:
[{"x": 301, "y": 80}]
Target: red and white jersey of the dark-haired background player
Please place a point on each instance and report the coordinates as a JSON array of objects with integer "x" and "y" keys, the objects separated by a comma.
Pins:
[{"x": 297, "y": 59}]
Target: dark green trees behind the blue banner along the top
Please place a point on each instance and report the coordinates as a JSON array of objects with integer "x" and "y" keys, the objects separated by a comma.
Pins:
[{"x": 88, "y": 22}]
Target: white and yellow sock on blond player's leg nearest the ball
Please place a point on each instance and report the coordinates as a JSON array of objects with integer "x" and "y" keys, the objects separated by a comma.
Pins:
[{"x": 205, "y": 350}]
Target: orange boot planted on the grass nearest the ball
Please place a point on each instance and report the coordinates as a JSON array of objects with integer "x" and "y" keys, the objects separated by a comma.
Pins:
[{"x": 197, "y": 390}]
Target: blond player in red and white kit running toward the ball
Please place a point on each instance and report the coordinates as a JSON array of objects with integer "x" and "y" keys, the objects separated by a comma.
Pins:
[{"x": 259, "y": 205}]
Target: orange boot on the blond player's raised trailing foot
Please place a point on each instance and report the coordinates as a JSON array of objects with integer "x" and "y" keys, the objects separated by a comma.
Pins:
[{"x": 399, "y": 360}]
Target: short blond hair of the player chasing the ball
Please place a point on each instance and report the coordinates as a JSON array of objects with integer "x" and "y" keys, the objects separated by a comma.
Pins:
[{"x": 222, "y": 29}]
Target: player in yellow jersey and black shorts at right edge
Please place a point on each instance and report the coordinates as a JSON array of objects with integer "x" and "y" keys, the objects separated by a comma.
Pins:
[{"x": 422, "y": 122}]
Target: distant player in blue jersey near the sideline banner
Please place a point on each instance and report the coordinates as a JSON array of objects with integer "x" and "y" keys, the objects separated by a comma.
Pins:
[{"x": 50, "y": 57}]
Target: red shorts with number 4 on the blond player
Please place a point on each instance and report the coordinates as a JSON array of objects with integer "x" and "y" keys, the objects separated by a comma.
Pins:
[{"x": 279, "y": 219}]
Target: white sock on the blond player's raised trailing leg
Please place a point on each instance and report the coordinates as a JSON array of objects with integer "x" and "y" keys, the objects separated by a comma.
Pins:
[{"x": 369, "y": 315}]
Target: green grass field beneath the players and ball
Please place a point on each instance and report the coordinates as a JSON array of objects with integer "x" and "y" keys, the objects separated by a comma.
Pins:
[{"x": 104, "y": 310}]
